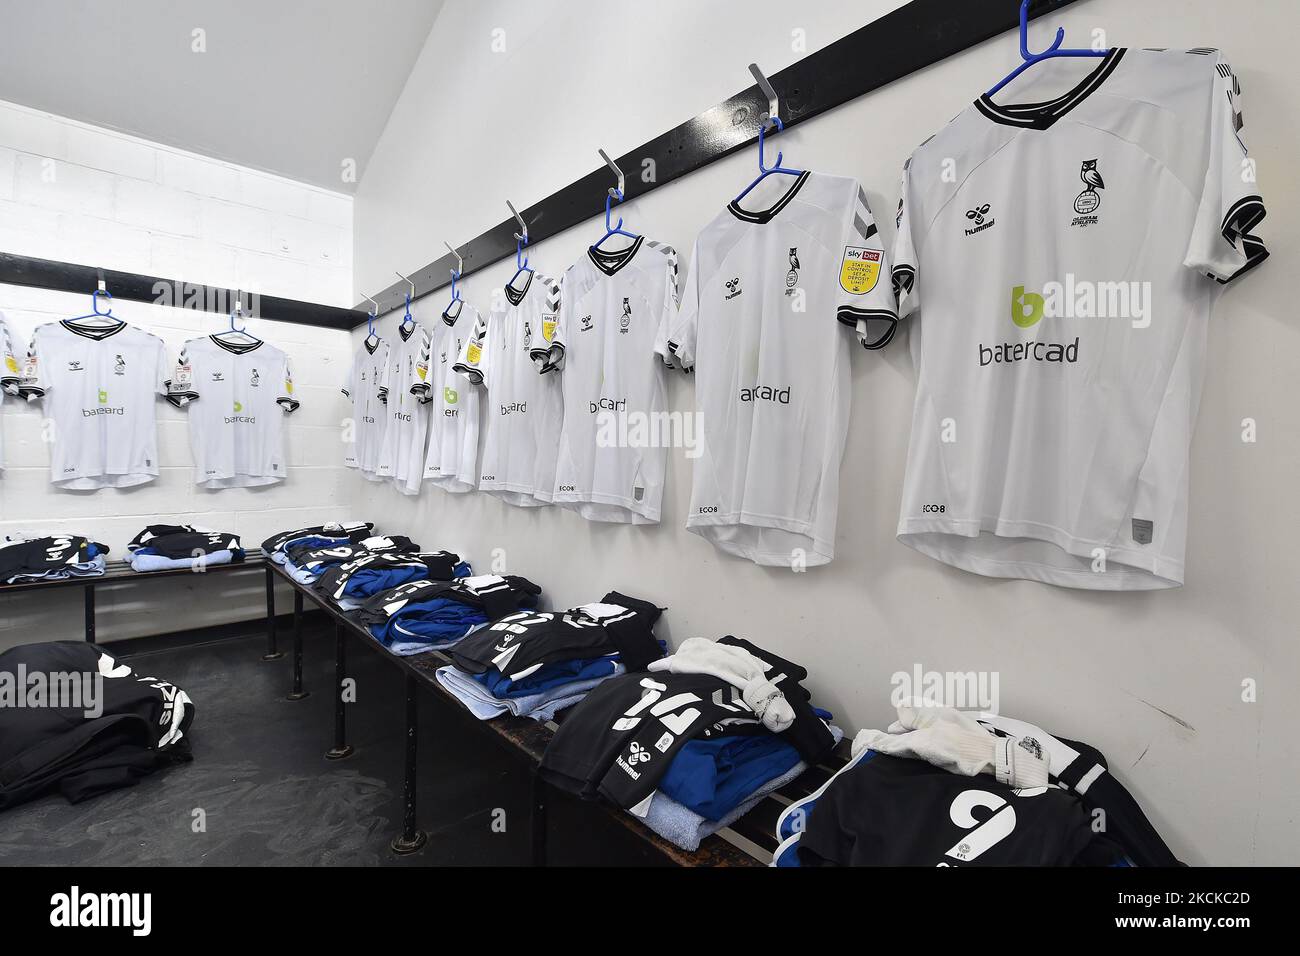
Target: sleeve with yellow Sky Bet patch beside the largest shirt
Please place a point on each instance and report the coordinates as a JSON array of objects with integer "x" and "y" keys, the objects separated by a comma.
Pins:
[{"x": 866, "y": 299}]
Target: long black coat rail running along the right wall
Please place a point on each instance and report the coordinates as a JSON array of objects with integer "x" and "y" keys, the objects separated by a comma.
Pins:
[{"x": 909, "y": 40}]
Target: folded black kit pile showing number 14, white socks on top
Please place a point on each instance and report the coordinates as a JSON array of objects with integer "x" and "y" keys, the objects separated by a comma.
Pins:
[{"x": 695, "y": 742}]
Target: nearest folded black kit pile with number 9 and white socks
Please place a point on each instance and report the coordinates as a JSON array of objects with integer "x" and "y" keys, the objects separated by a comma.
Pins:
[{"x": 946, "y": 789}]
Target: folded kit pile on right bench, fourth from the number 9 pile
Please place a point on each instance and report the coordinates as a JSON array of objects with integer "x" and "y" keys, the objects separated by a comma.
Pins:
[{"x": 430, "y": 615}]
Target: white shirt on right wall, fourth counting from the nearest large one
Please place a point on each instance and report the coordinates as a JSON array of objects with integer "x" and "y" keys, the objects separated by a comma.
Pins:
[{"x": 523, "y": 410}]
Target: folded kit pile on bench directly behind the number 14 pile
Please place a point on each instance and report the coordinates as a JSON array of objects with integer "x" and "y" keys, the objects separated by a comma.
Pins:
[{"x": 536, "y": 664}]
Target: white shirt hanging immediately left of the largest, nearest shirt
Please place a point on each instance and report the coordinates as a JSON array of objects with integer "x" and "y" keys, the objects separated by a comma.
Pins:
[{"x": 775, "y": 291}]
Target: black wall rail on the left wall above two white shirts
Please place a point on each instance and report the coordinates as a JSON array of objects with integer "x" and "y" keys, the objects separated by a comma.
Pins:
[{"x": 70, "y": 278}]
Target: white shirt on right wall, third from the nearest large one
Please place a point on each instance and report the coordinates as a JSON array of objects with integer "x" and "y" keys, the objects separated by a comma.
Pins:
[{"x": 614, "y": 319}]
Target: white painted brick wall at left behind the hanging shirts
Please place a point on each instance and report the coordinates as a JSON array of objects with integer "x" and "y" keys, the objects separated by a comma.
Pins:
[{"x": 81, "y": 194}]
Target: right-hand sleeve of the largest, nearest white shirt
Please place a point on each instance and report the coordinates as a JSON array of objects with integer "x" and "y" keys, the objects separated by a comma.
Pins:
[{"x": 1223, "y": 244}]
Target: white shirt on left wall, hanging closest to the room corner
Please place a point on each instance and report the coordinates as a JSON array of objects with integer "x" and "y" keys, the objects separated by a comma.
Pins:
[{"x": 237, "y": 393}]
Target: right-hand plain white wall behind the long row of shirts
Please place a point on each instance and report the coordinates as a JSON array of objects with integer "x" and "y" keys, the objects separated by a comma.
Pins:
[{"x": 1154, "y": 680}]
